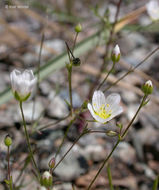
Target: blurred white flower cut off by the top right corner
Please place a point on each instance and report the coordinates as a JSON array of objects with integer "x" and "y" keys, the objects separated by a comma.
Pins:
[{"x": 153, "y": 9}]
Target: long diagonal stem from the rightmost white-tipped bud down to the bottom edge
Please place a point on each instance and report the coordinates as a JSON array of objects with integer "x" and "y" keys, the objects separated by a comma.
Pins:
[{"x": 119, "y": 139}]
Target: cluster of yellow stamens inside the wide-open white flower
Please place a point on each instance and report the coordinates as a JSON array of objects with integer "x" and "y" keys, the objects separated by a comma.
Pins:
[{"x": 103, "y": 113}]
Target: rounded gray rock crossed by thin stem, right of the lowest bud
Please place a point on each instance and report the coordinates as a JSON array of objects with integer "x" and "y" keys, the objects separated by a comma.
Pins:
[{"x": 73, "y": 165}]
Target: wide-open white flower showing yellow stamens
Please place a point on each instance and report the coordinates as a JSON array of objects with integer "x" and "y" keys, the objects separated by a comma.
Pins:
[{"x": 104, "y": 109}]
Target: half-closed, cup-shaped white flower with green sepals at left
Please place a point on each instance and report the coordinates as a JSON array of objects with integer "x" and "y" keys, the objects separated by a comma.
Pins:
[{"x": 22, "y": 83}]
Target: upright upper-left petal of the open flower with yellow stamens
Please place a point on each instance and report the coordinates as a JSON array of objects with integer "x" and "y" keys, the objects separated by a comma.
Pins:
[{"x": 98, "y": 99}]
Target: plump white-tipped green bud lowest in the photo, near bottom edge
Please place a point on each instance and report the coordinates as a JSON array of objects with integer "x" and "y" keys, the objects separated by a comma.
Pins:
[{"x": 46, "y": 179}]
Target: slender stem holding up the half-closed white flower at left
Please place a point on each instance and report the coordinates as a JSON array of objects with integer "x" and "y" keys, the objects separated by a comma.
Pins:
[{"x": 27, "y": 139}]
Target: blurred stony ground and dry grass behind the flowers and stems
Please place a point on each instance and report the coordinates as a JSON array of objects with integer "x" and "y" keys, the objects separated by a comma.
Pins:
[{"x": 24, "y": 25}]
